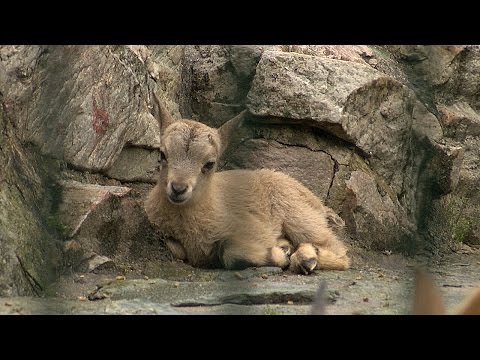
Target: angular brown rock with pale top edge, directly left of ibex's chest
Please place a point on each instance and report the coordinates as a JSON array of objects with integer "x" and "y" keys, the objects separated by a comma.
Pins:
[{"x": 109, "y": 227}]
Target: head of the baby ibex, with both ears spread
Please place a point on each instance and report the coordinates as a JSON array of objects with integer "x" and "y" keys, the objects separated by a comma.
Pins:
[{"x": 189, "y": 152}]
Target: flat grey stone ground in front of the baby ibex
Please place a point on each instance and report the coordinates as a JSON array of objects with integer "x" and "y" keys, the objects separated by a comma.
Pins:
[{"x": 380, "y": 285}]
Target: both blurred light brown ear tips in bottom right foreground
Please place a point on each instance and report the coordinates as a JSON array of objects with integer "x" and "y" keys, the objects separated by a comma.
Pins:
[{"x": 428, "y": 300}]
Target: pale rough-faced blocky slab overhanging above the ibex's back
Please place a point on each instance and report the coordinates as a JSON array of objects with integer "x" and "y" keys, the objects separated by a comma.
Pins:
[{"x": 308, "y": 88}]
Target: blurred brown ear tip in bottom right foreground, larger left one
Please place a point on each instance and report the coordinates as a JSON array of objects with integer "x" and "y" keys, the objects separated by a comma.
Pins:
[{"x": 428, "y": 300}]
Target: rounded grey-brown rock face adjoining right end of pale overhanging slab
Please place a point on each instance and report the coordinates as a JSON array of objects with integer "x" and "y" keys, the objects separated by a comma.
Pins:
[{"x": 384, "y": 119}]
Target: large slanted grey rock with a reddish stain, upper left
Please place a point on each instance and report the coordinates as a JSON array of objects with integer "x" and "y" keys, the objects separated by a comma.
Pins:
[{"x": 96, "y": 101}]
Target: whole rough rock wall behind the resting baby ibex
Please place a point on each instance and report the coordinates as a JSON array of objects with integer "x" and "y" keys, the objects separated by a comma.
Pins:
[{"x": 387, "y": 136}]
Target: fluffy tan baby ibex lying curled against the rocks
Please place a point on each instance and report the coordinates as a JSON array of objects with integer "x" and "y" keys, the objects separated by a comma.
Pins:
[{"x": 237, "y": 218}]
